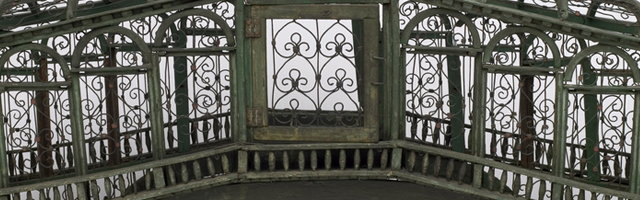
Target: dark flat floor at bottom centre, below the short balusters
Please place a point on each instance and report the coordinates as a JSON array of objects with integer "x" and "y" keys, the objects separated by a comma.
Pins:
[{"x": 317, "y": 190}]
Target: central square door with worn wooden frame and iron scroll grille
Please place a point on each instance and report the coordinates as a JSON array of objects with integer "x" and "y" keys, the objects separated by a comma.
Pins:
[{"x": 313, "y": 73}]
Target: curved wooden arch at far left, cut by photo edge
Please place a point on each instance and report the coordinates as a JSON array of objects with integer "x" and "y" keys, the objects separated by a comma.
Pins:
[{"x": 37, "y": 47}]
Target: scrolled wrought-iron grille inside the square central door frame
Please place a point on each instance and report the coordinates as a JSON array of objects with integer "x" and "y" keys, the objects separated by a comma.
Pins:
[{"x": 314, "y": 70}]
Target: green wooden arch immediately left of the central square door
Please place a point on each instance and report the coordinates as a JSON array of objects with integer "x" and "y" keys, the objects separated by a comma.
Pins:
[{"x": 168, "y": 22}]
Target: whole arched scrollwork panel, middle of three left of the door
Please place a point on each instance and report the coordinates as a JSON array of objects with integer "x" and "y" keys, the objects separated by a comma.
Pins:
[{"x": 115, "y": 96}]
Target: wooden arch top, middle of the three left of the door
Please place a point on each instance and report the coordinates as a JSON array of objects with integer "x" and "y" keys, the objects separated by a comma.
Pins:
[{"x": 146, "y": 52}]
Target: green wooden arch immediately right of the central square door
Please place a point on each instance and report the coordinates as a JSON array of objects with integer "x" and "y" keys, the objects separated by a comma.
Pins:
[{"x": 406, "y": 33}]
